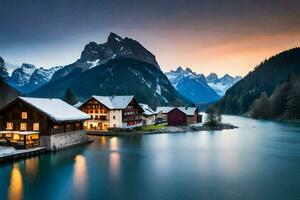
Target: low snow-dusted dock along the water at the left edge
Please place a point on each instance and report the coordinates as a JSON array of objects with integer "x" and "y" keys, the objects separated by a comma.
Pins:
[{"x": 21, "y": 153}]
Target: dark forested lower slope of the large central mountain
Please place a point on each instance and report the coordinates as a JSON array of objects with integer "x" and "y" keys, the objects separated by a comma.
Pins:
[{"x": 125, "y": 76}]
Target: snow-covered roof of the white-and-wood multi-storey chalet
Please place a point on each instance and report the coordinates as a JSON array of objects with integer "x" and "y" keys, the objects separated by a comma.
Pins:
[{"x": 114, "y": 102}]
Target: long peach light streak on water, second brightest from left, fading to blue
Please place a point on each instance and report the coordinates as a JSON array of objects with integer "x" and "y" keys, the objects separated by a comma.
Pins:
[{"x": 80, "y": 174}]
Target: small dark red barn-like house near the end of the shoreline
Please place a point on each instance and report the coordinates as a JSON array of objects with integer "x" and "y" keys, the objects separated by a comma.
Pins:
[{"x": 183, "y": 116}]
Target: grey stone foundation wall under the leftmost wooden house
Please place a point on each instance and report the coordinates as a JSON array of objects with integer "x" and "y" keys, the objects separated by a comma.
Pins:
[{"x": 63, "y": 140}]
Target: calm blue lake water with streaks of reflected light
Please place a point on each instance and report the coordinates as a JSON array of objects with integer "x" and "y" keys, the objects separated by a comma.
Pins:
[{"x": 260, "y": 160}]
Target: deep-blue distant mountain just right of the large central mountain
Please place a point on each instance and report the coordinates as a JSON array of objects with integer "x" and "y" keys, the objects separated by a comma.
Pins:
[{"x": 191, "y": 85}]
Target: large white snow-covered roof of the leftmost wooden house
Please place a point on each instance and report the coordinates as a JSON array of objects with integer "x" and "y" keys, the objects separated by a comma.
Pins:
[{"x": 56, "y": 109}]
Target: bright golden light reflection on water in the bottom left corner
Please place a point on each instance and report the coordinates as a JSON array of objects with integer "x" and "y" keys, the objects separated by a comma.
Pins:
[{"x": 15, "y": 190}]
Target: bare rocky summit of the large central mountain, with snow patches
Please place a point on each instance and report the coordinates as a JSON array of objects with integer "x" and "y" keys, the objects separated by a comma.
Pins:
[{"x": 115, "y": 47}]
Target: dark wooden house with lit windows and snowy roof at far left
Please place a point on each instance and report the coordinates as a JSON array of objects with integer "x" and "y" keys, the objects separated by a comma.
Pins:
[{"x": 30, "y": 122}]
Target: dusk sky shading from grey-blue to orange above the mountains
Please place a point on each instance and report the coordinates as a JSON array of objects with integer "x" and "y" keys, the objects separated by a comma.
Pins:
[{"x": 231, "y": 36}]
